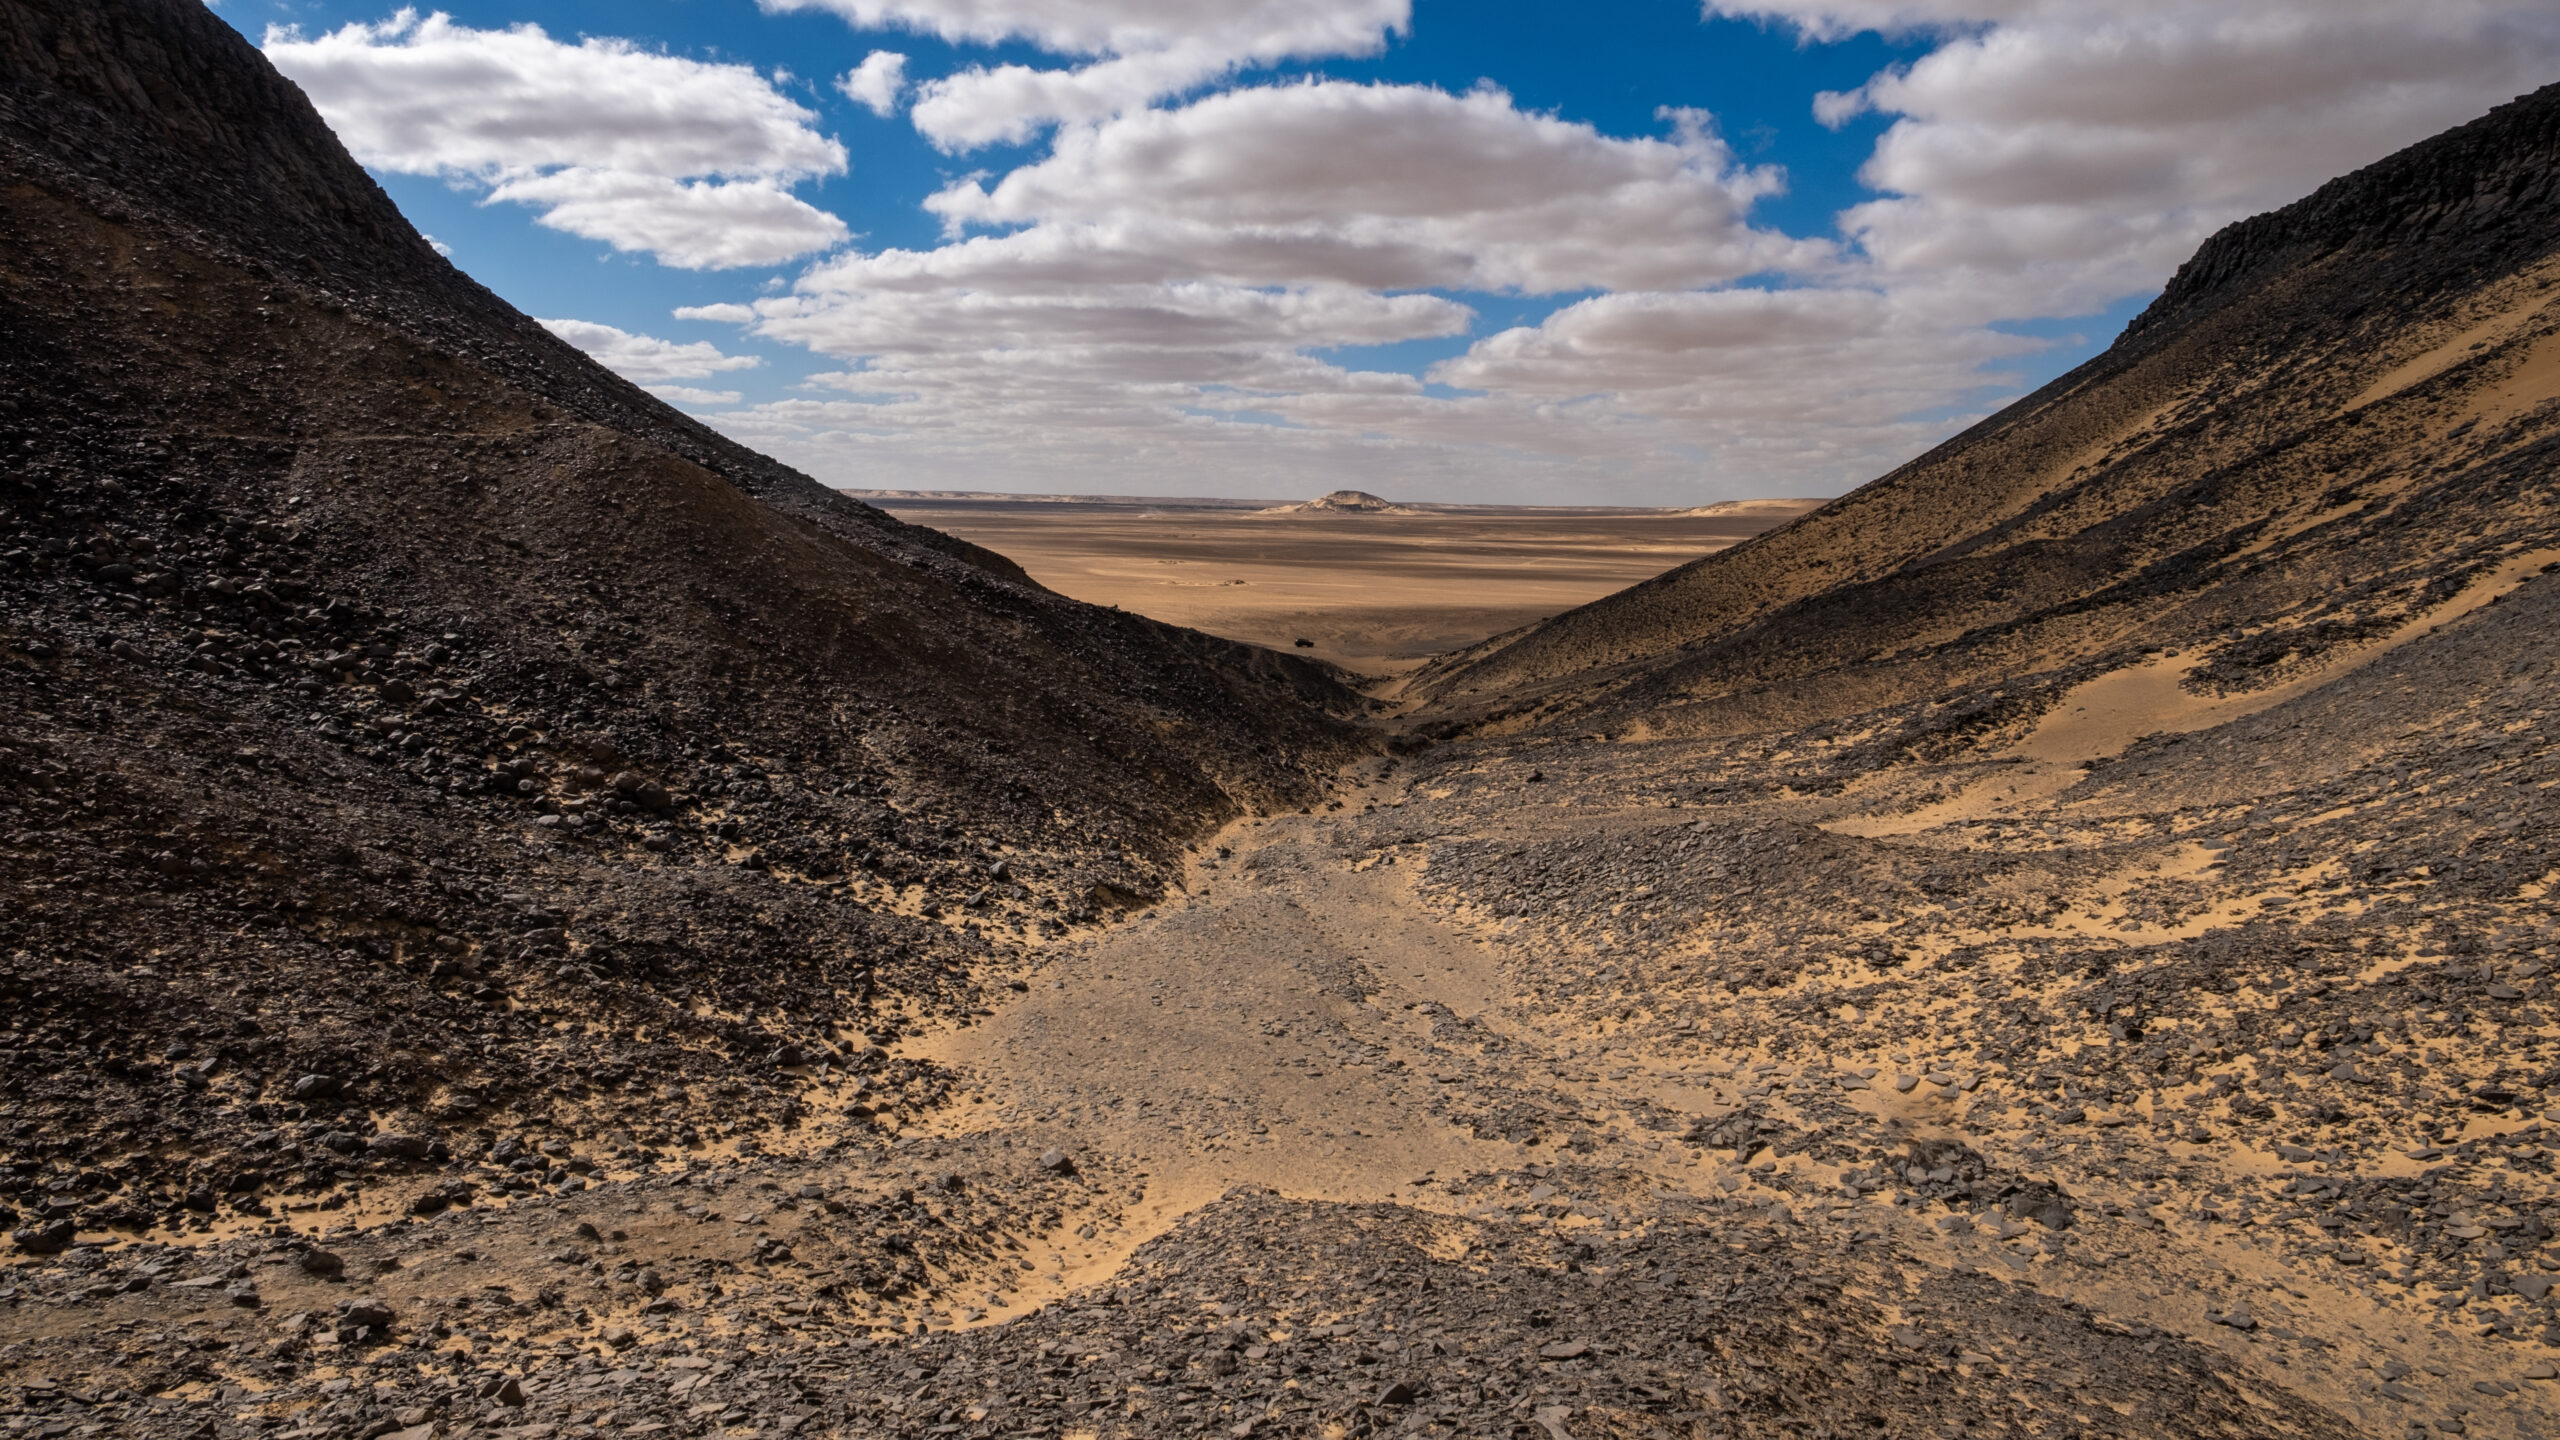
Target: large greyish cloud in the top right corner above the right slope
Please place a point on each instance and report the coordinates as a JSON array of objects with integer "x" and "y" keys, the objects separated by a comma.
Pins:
[{"x": 2054, "y": 155}]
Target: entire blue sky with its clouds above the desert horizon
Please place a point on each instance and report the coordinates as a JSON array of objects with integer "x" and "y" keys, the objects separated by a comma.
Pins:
[{"x": 1617, "y": 252}]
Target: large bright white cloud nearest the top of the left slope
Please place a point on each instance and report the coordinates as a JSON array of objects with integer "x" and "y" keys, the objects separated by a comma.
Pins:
[{"x": 649, "y": 152}]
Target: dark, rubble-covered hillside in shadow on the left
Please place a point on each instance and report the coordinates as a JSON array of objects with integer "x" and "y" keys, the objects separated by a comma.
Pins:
[{"x": 390, "y": 696}]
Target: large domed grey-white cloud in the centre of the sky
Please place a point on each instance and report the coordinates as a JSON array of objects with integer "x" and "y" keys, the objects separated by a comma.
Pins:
[{"x": 1389, "y": 186}]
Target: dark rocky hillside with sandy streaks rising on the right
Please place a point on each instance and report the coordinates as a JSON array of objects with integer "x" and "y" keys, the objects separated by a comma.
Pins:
[{"x": 2331, "y": 416}]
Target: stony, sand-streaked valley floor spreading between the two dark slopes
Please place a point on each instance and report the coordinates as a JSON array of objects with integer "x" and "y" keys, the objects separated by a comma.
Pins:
[{"x": 1455, "y": 1106}]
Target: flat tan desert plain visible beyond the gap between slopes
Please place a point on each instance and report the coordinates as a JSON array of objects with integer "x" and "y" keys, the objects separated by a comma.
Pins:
[{"x": 1366, "y": 583}]
